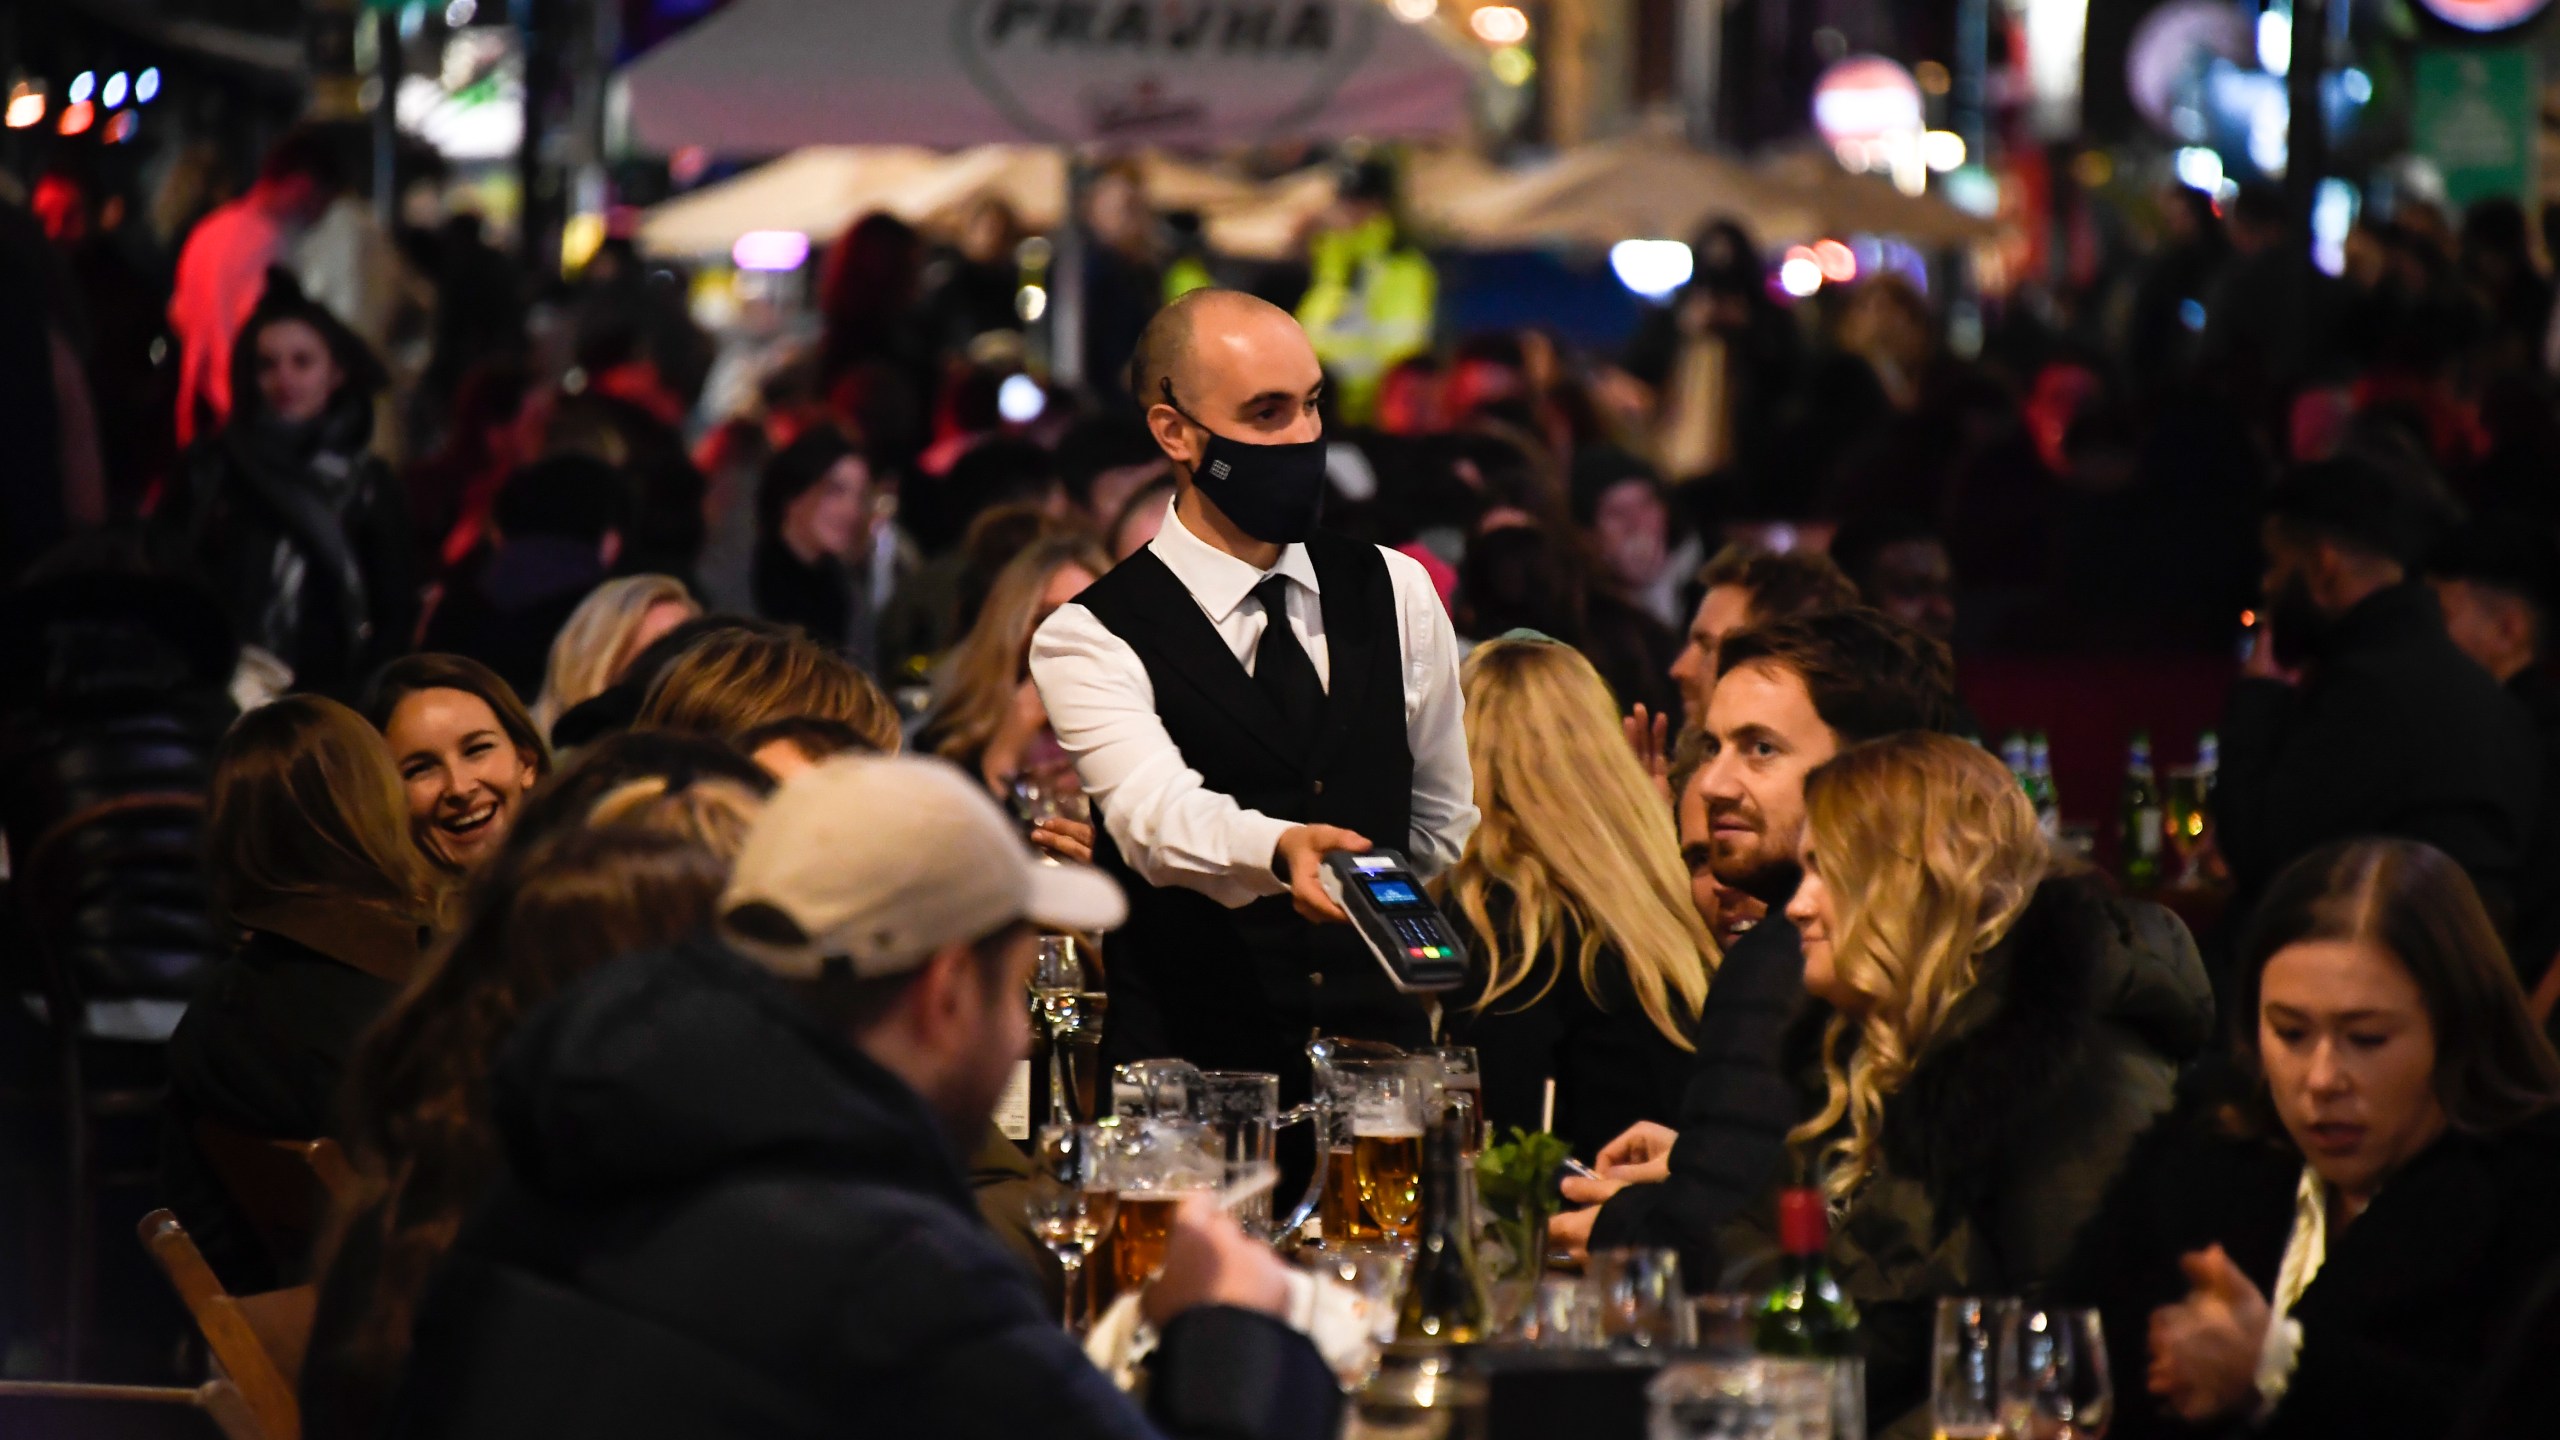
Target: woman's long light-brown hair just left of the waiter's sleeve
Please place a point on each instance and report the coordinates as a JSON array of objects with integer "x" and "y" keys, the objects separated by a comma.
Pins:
[{"x": 989, "y": 716}]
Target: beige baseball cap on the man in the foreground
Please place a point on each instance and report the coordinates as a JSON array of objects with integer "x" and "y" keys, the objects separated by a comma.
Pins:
[{"x": 887, "y": 860}]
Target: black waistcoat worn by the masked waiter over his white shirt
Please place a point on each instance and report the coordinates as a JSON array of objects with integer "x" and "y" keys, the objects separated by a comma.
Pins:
[{"x": 1245, "y": 988}]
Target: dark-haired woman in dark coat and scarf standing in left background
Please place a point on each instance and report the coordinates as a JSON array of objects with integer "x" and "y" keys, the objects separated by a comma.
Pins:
[{"x": 301, "y": 529}]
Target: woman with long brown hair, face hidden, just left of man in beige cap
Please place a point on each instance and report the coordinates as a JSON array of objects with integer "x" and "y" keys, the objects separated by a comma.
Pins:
[{"x": 639, "y": 867}]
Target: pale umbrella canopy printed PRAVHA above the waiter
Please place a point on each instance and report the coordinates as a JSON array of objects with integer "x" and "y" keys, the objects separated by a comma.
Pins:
[{"x": 774, "y": 76}]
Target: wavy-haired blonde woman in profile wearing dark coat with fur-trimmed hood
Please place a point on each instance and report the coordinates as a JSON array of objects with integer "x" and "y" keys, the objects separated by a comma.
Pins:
[{"x": 2001, "y": 1031}]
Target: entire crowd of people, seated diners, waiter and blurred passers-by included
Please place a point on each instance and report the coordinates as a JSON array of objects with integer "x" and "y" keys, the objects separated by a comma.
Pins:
[{"x": 628, "y": 849}]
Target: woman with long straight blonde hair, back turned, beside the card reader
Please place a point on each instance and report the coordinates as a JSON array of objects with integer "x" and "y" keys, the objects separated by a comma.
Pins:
[{"x": 1588, "y": 957}]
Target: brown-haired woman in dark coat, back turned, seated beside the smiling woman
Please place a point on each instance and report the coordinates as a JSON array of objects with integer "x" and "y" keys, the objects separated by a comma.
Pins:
[{"x": 311, "y": 855}]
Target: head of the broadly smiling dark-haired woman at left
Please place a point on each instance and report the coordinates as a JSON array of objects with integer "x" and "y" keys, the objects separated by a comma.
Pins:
[{"x": 465, "y": 749}]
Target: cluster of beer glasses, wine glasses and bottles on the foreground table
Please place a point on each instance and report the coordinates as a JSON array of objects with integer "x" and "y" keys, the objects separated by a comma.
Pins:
[{"x": 1466, "y": 1323}]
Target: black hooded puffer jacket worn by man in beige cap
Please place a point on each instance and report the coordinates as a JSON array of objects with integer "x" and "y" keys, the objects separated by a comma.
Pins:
[{"x": 723, "y": 1221}]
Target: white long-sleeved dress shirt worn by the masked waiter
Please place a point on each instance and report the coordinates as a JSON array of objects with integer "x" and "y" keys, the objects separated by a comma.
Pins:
[{"x": 1164, "y": 819}]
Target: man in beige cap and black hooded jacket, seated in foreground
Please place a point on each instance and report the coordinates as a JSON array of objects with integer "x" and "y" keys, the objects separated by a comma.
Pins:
[{"x": 733, "y": 1198}]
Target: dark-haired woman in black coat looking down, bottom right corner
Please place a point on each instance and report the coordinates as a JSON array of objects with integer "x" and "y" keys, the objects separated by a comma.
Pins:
[{"x": 2346, "y": 1247}]
